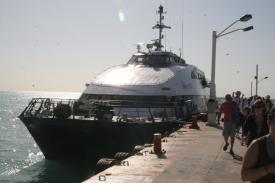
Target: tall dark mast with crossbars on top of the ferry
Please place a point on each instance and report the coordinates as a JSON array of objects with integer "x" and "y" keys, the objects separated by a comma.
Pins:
[{"x": 160, "y": 26}]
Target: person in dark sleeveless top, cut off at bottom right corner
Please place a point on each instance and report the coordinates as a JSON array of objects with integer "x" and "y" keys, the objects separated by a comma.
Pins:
[{"x": 259, "y": 159}]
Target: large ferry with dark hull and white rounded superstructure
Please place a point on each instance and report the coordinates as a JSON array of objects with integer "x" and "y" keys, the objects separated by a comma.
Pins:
[{"x": 154, "y": 92}]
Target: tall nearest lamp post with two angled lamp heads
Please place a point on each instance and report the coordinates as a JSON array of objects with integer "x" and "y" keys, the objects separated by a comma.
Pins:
[{"x": 212, "y": 106}]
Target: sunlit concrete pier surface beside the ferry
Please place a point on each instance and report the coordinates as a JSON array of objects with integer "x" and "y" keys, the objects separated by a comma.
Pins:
[{"x": 191, "y": 156}]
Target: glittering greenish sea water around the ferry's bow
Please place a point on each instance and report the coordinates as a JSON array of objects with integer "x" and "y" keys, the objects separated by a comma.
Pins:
[{"x": 20, "y": 158}]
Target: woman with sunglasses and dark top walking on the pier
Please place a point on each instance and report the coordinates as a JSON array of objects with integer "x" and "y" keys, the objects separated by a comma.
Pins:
[{"x": 256, "y": 124}]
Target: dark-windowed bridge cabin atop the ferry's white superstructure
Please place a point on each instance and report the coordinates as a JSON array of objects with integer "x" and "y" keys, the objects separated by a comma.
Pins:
[{"x": 156, "y": 59}]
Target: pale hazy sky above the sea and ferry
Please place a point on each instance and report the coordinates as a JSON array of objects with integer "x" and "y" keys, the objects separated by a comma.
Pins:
[{"x": 59, "y": 45}]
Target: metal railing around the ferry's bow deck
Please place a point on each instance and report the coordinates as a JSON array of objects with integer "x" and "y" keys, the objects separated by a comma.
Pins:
[{"x": 121, "y": 110}]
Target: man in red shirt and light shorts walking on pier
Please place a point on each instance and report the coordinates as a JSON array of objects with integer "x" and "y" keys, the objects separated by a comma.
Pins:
[{"x": 228, "y": 108}]
